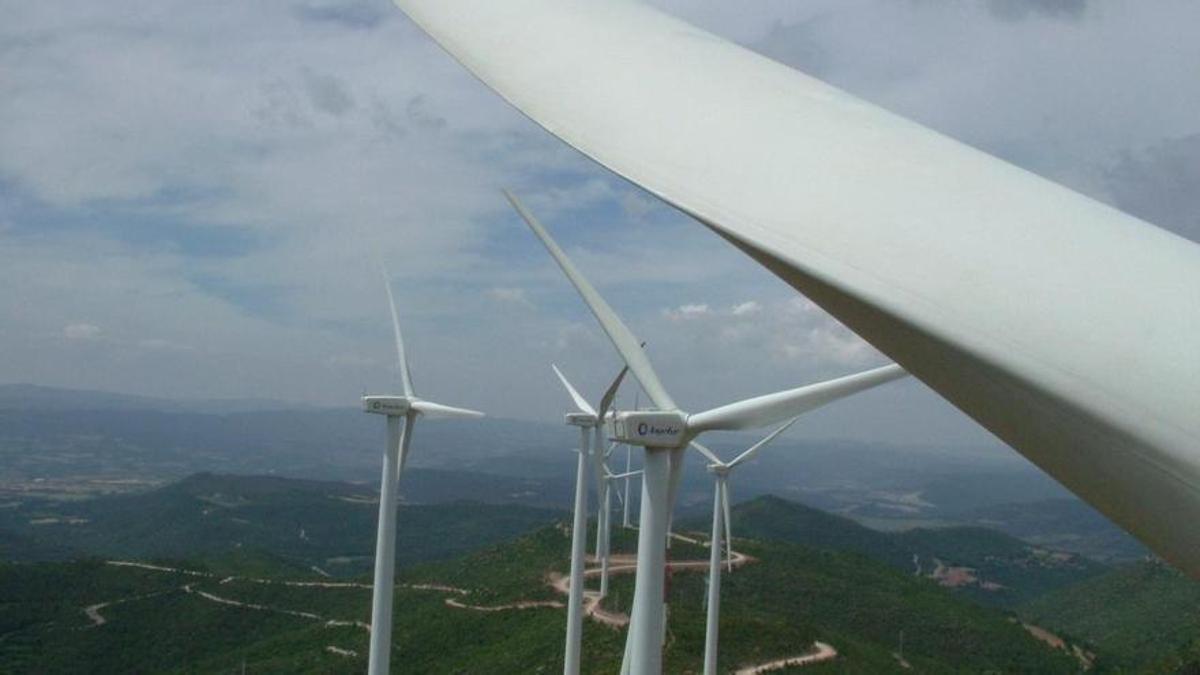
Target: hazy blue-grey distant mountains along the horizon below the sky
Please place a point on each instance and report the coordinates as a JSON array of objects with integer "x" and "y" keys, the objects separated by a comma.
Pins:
[{"x": 67, "y": 445}]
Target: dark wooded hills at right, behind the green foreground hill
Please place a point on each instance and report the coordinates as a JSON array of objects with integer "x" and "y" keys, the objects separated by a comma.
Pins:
[{"x": 989, "y": 566}]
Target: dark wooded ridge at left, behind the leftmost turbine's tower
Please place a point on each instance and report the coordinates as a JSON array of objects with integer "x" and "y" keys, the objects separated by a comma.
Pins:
[{"x": 325, "y": 524}]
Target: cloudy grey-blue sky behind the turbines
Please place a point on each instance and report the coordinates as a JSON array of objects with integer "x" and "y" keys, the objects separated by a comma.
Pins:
[{"x": 195, "y": 198}]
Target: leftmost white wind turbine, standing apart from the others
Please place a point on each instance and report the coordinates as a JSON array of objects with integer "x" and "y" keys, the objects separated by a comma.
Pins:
[{"x": 409, "y": 408}]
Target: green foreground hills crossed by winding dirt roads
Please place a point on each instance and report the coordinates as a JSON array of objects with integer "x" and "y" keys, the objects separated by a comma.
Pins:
[{"x": 777, "y": 607}]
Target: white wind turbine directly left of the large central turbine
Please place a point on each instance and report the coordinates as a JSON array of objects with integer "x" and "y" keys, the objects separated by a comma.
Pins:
[{"x": 590, "y": 421}]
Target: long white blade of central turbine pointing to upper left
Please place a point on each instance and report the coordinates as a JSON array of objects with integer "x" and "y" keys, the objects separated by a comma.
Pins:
[{"x": 628, "y": 347}]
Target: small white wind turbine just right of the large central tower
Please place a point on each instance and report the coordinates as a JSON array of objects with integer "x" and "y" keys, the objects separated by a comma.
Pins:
[{"x": 721, "y": 471}]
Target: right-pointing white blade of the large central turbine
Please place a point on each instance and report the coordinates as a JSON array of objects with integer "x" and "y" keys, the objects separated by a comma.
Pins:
[{"x": 776, "y": 408}]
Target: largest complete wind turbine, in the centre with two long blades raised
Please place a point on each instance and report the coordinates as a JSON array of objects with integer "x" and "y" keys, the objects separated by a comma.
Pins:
[{"x": 665, "y": 433}]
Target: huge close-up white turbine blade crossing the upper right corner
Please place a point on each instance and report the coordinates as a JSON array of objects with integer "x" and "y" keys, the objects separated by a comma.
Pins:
[{"x": 974, "y": 274}]
